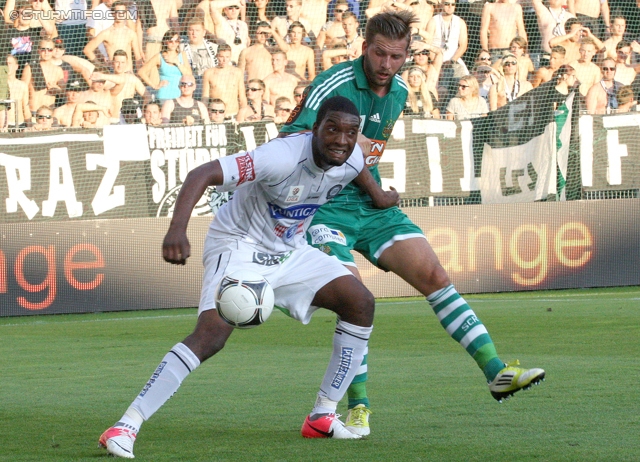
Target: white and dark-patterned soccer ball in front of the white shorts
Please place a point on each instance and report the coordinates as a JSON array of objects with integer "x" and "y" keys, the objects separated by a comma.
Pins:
[{"x": 244, "y": 299}]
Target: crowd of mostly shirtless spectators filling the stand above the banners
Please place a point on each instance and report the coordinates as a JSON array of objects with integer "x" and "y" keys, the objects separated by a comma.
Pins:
[{"x": 90, "y": 63}]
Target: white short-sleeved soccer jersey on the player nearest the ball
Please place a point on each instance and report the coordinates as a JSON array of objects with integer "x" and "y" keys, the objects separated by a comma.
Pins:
[{"x": 278, "y": 188}]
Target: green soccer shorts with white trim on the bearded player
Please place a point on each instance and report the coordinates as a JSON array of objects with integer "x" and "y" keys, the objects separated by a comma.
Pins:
[{"x": 338, "y": 228}]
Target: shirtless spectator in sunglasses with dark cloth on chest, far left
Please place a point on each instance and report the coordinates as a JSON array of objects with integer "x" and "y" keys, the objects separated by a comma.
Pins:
[{"x": 44, "y": 78}]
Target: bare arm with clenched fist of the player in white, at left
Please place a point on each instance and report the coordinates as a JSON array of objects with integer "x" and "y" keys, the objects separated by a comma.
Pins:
[{"x": 175, "y": 247}]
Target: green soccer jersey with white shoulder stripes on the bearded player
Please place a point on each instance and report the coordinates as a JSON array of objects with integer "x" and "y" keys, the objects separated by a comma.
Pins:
[{"x": 377, "y": 114}]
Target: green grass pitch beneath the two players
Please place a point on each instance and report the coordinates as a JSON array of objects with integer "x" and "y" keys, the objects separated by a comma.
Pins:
[{"x": 67, "y": 378}]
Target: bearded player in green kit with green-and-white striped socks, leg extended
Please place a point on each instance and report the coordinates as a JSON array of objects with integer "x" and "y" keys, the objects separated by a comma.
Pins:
[{"x": 374, "y": 225}]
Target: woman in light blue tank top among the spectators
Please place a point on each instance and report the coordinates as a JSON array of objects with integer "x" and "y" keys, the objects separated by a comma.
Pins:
[{"x": 163, "y": 71}]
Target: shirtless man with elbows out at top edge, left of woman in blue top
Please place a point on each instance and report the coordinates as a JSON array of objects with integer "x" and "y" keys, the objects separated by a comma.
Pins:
[{"x": 117, "y": 37}]
